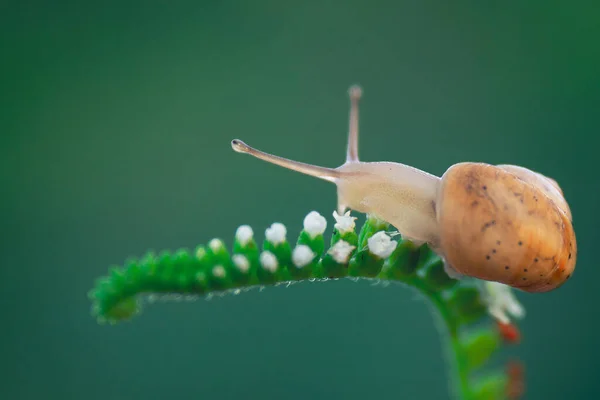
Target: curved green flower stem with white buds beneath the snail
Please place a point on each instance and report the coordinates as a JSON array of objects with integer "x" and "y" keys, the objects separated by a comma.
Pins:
[{"x": 371, "y": 254}]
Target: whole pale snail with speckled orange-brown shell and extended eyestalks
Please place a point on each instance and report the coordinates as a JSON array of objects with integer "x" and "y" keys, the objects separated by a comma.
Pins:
[{"x": 497, "y": 223}]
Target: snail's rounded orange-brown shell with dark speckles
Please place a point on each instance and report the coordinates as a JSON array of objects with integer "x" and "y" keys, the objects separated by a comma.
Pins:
[{"x": 506, "y": 224}]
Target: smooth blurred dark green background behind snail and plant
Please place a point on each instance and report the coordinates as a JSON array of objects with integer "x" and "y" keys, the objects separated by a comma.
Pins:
[{"x": 116, "y": 120}]
